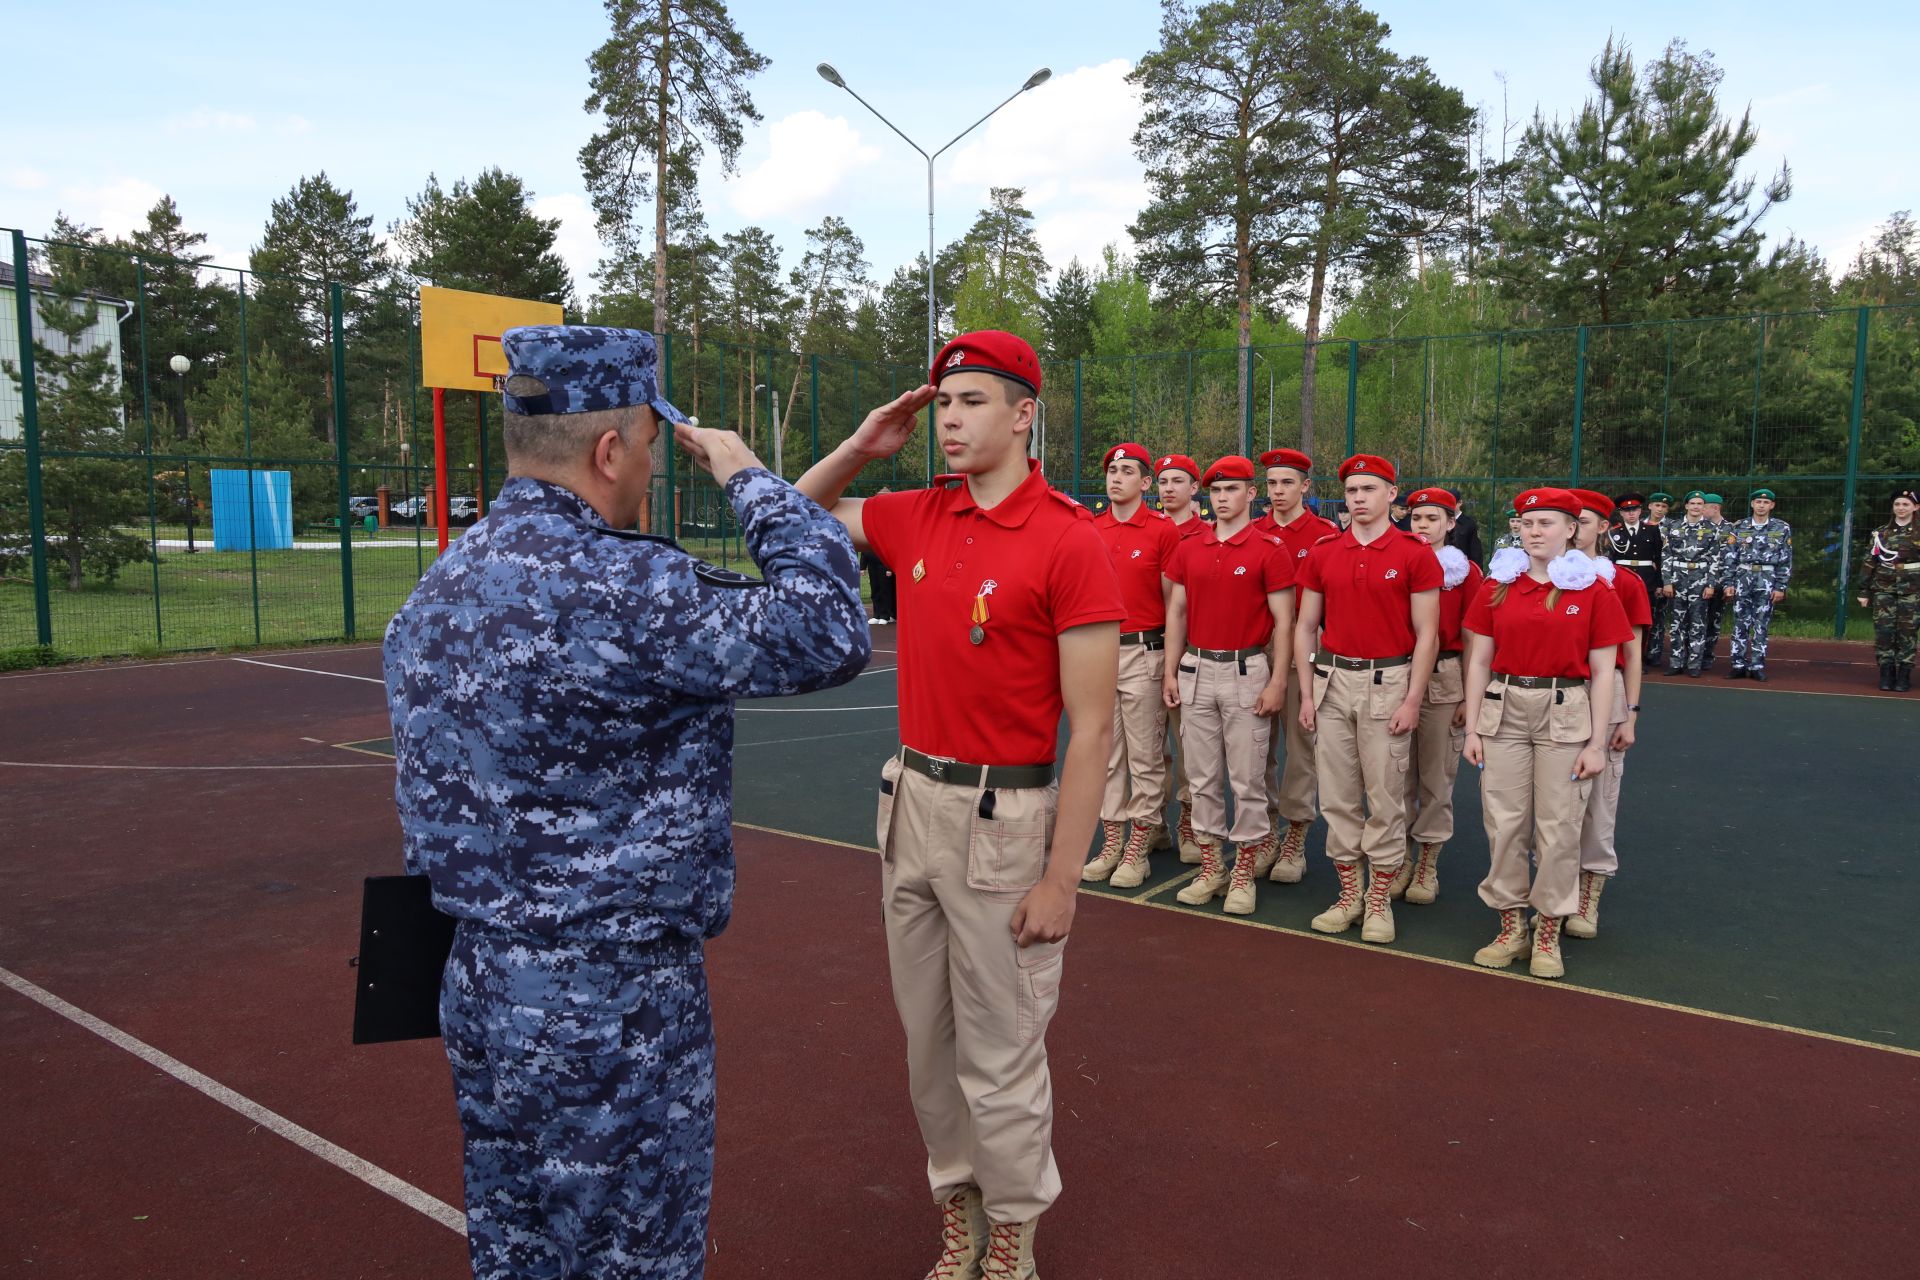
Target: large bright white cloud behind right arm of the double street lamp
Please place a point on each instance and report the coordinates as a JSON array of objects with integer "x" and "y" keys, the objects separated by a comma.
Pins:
[{"x": 1070, "y": 147}]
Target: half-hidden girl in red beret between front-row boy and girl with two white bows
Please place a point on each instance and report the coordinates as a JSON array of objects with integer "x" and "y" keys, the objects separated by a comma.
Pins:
[{"x": 1443, "y": 728}]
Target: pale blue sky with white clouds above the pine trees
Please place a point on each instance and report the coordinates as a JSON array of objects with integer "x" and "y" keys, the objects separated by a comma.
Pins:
[{"x": 228, "y": 105}]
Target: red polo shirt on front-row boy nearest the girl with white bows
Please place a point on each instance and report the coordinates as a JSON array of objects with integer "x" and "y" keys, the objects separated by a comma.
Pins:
[{"x": 1370, "y": 590}]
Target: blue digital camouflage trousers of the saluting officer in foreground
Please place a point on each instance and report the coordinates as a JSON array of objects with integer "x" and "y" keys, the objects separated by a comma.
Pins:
[{"x": 585, "y": 1079}]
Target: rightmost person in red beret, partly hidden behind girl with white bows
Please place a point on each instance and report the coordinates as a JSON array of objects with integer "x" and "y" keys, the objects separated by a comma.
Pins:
[{"x": 1598, "y": 857}]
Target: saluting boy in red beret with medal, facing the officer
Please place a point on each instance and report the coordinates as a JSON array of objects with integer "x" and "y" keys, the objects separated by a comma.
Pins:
[{"x": 1009, "y": 615}]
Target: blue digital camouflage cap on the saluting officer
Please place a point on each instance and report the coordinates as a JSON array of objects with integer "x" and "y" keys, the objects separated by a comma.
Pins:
[{"x": 585, "y": 367}]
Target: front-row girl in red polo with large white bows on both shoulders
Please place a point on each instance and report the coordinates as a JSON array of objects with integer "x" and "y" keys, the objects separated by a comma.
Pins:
[{"x": 1541, "y": 628}]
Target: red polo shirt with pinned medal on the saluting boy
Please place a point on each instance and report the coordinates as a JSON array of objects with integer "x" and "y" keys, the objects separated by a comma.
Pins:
[{"x": 1036, "y": 565}]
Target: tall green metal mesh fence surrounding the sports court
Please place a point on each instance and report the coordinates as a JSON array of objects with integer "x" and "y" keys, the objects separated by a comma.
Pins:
[{"x": 322, "y": 381}]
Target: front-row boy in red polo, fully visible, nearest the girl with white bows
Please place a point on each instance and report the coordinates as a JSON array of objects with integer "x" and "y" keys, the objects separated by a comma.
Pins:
[{"x": 1378, "y": 590}]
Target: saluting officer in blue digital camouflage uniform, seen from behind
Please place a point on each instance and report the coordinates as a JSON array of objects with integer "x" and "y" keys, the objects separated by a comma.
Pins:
[{"x": 564, "y": 719}]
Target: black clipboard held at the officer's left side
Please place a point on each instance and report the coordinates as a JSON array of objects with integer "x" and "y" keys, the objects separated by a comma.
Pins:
[{"x": 404, "y": 953}]
